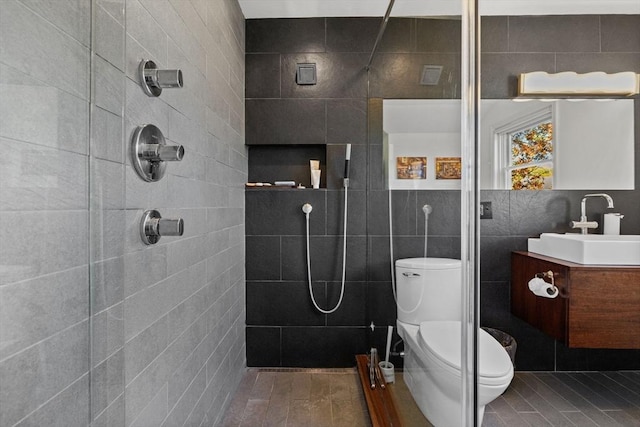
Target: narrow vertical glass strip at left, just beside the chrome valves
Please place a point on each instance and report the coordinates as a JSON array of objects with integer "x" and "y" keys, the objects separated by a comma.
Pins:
[{"x": 107, "y": 214}]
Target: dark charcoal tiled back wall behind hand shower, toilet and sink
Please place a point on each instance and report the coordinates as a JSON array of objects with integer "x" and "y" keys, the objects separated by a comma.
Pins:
[{"x": 283, "y": 328}]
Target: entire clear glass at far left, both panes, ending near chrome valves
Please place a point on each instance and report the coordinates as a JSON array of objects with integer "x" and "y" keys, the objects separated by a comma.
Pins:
[{"x": 62, "y": 216}]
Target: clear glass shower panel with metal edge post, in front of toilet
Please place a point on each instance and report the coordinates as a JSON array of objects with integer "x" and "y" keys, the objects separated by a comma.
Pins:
[{"x": 416, "y": 138}]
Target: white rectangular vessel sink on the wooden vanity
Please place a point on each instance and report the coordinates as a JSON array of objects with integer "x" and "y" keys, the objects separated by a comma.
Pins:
[{"x": 589, "y": 248}]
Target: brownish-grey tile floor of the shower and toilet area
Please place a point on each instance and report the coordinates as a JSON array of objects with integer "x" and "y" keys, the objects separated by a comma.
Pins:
[{"x": 328, "y": 398}]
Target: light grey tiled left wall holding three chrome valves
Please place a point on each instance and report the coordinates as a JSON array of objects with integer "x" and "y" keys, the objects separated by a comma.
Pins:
[{"x": 95, "y": 327}]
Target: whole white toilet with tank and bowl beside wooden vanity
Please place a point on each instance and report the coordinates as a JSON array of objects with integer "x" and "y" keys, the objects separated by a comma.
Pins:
[{"x": 429, "y": 292}]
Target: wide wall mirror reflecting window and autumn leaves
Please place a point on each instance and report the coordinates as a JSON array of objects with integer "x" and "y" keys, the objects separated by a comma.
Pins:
[{"x": 581, "y": 144}]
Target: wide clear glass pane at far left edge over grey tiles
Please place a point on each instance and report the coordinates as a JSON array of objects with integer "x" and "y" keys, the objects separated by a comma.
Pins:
[{"x": 45, "y": 98}]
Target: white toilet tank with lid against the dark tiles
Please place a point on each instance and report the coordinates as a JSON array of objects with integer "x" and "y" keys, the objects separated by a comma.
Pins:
[{"x": 428, "y": 289}]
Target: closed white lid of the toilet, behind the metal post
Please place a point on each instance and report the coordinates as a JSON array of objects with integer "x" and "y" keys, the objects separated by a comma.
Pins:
[{"x": 442, "y": 340}]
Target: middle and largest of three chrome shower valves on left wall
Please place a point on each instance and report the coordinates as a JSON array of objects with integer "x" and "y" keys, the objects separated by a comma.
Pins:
[{"x": 149, "y": 152}]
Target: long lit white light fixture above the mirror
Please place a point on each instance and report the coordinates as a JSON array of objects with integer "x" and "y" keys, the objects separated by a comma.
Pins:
[{"x": 570, "y": 83}]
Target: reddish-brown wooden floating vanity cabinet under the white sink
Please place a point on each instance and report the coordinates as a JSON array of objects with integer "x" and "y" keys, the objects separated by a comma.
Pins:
[{"x": 597, "y": 306}]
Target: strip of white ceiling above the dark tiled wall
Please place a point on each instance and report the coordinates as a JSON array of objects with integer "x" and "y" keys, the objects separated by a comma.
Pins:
[{"x": 335, "y": 8}]
